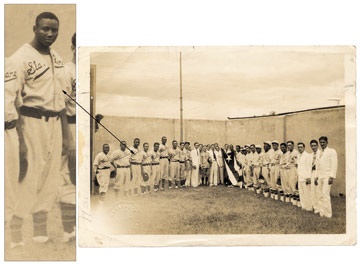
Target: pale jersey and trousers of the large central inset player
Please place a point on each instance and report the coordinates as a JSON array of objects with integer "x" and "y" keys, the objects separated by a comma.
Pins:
[{"x": 41, "y": 79}]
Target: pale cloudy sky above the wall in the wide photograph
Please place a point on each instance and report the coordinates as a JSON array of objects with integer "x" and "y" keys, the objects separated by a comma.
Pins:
[{"x": 217, "y": 82}]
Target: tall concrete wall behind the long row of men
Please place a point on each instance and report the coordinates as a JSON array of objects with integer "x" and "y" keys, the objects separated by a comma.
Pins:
[{"x": 302, "y": 126}]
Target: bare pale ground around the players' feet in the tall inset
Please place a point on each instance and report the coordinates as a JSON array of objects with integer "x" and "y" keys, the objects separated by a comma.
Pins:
[{"x": 55, "y": 250}]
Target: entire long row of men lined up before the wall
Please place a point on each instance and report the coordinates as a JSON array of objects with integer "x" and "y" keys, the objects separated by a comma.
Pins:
[{"x": 275, "y": 166}]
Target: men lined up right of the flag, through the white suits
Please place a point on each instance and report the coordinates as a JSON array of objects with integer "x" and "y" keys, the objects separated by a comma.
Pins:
[{"x": 285, "y": 170}]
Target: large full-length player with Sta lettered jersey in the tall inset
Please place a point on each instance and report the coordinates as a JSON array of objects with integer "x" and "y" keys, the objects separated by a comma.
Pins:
[{"x": 43, "y": 130}]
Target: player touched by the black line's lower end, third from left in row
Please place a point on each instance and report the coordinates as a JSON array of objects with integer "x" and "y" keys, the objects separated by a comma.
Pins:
[{"x": 136, "y": 159}]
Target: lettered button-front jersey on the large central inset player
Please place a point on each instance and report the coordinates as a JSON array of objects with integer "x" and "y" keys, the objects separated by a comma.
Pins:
[{"x": 41, "y": 78}]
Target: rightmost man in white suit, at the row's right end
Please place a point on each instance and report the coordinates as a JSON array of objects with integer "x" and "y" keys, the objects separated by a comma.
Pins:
[{"x": 326, "y": 173}]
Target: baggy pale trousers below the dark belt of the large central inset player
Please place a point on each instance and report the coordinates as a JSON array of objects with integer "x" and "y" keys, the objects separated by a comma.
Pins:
[{"x": 43, "y": 139}]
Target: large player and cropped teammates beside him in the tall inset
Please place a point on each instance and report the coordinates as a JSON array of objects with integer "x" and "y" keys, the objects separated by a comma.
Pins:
[{"x": 40, "y": 125}]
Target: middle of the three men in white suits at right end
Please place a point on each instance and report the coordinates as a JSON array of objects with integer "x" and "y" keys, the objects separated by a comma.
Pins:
[{"x": 314, "y": 164}]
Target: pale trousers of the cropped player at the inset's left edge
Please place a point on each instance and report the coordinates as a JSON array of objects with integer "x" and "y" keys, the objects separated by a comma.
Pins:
[{"x": 11, "y": 171}]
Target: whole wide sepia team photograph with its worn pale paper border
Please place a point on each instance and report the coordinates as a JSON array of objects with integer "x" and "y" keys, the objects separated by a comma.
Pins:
[{"x": 217, "y": 146}]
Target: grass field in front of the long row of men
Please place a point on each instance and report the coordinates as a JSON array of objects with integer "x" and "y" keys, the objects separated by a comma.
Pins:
[{"x": 216, "y": 210}]
